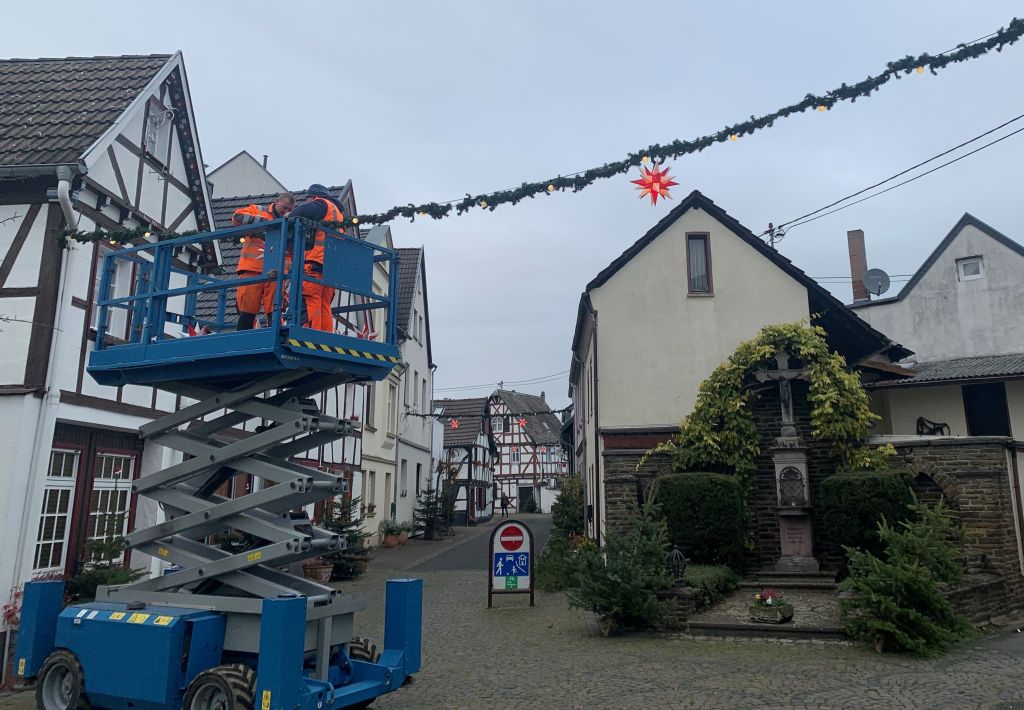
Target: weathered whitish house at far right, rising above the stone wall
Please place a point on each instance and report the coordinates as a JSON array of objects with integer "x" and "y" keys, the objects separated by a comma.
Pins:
[{"x": 963, "y": 315}]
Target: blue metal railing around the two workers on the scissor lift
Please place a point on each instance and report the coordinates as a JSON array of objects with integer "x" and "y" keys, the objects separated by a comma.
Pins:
[{"x": 164, "y": 291}]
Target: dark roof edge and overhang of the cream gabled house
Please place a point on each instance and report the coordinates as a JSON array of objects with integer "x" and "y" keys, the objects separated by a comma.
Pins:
[{"x": 845, "y": 331}]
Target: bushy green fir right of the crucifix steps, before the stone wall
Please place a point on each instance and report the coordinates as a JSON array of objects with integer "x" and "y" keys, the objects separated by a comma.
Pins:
[{"x": 895, "y": 602}]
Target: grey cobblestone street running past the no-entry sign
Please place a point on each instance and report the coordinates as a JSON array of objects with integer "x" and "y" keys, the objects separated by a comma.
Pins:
[{"x": 548, "y": 657}]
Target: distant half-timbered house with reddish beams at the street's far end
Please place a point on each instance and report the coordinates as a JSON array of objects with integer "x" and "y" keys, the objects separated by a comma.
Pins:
[{"x": 532, "y": 460}]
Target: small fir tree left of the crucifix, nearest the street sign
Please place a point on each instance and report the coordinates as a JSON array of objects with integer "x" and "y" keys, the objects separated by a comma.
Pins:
[{"x": 619, "y": 582}]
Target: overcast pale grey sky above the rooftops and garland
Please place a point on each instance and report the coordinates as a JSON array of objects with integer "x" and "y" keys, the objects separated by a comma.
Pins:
[{"x": 430, "y": 101}]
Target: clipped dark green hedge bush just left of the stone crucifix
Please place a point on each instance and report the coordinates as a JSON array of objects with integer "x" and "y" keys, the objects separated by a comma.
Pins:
[{"x": 707, "y": 517}]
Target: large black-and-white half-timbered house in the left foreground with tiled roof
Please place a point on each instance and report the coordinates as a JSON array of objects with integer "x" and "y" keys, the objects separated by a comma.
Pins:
[{"x": 106, "y": 143}]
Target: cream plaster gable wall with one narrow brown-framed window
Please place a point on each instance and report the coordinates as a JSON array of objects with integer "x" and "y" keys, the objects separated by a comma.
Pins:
[{"x": 657, "y": 344}]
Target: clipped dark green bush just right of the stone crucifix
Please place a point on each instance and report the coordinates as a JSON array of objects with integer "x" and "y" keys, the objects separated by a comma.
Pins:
[{"x": 856, "y": 503}]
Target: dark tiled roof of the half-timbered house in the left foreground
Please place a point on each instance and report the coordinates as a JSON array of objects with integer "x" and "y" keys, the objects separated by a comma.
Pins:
[{"x": 53, "y": 110}]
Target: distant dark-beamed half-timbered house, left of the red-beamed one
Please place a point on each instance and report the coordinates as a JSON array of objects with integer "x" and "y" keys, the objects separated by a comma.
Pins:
[{"x": 466, "y": 469}]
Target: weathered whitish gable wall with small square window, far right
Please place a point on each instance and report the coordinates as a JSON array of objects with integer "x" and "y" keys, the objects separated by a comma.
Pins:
[{"x": 945, "y": 318}]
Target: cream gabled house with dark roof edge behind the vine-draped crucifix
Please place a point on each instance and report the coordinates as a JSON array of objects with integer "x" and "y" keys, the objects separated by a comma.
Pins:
[{"x": 656, "y": 323}]
